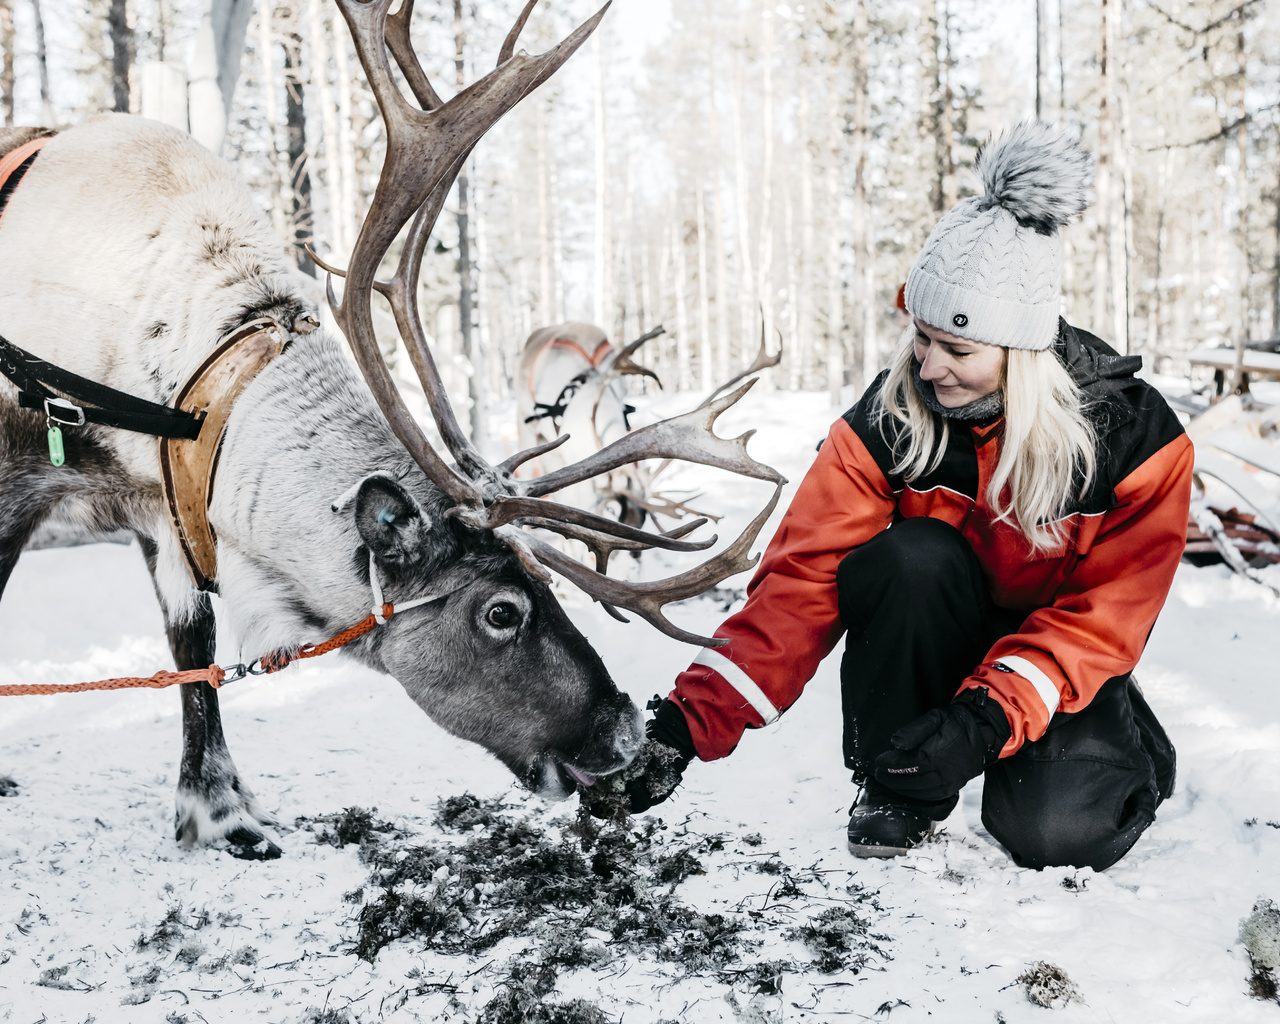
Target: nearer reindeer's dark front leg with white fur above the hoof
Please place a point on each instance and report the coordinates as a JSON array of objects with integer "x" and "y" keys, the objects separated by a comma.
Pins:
[{"x": 213, "y": 804}]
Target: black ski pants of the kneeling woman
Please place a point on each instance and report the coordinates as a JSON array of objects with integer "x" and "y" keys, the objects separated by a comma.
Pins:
[{"x": 920, "y": 621}]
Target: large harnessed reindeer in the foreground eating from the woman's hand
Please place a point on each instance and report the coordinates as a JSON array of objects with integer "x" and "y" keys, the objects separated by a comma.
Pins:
[{"x": 132, "y": 257}]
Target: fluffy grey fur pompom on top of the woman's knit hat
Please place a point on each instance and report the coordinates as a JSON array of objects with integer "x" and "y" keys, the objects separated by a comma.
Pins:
[{"x": 1039, "y": 175}]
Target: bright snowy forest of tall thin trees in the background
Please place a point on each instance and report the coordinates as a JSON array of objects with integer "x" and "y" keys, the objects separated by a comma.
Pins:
[{"x": 717, "y": 163}]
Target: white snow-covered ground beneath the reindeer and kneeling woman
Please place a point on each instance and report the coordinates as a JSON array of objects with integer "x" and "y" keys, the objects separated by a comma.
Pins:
[{"x": 90, "y": 867}]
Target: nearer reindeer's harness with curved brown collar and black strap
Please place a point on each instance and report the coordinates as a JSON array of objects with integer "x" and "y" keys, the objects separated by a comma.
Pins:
[{"x": 190, "y": 431}]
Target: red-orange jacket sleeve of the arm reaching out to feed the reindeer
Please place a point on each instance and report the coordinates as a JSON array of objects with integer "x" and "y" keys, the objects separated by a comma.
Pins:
[{"x": 792, "y": 620}]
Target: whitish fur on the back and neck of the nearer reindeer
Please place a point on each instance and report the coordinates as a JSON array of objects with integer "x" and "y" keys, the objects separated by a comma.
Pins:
[{"x": 124, "y": 225}]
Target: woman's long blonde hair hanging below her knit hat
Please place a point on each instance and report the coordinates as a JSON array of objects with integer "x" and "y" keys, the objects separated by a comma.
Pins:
[{"x": 1048, "y": 454}]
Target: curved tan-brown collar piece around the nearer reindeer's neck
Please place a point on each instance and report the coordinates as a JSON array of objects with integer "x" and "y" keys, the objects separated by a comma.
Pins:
[{"x": 189, "y": 467}]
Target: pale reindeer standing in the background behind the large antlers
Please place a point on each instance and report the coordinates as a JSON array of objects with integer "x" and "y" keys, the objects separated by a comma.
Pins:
[{"x": 570, "y": 378}]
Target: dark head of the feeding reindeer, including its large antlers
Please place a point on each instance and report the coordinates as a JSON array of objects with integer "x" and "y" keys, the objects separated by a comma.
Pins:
[{"x": 495, "y": 659}]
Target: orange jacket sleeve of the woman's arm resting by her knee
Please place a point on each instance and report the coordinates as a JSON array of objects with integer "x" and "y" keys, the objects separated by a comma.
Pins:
[{"x": 1105, "y": 610}]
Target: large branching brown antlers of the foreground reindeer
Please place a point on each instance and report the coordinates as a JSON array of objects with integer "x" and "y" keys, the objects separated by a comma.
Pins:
[{"x": 427, "y": 148}]
